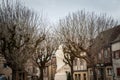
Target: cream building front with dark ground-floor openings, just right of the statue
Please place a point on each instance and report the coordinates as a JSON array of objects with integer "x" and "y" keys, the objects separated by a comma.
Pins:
[{"x": 80, "y": 69}]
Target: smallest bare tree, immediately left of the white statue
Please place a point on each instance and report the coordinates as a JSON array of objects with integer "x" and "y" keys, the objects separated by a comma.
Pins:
[{"x": 44, "y": 52}]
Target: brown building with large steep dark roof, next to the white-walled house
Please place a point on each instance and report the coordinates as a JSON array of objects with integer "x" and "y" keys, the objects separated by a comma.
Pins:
[{"x": 102, "y": 54}]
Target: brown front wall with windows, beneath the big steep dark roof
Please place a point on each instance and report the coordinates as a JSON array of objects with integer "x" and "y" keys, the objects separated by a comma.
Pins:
[{"x": 104, "y": 64}]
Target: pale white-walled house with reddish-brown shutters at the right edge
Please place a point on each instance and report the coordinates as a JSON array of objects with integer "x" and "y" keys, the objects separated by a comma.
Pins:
[{"x": 116, "y": 58}]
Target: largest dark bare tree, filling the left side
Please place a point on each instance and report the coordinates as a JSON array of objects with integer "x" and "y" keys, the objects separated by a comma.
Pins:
[{"x": 19, "y": 34}]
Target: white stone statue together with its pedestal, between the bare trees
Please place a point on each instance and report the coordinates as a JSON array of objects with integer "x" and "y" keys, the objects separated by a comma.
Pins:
[{"x": 61, "y": 66}]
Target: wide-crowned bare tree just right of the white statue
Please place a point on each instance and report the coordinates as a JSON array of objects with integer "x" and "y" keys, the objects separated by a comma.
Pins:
[{"x": 77, "y": 32}]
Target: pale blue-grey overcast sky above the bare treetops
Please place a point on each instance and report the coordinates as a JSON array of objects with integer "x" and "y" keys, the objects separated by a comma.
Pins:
[{"x": 55, "y": 9}]
